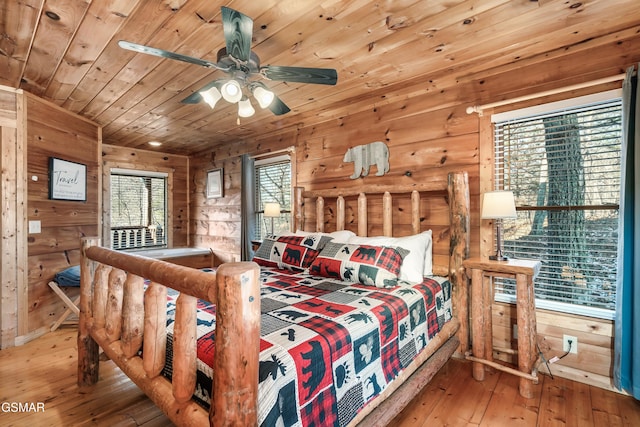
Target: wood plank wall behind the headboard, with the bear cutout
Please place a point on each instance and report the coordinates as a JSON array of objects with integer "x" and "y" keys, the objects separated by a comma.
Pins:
[{"x": 429, "y": 134}]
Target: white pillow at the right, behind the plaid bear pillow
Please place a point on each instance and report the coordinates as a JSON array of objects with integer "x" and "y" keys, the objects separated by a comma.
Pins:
[{"x": 414, "y": 266}]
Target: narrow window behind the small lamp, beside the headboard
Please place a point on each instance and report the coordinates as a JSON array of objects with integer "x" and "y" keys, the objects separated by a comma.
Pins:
[{"x": 273, "y": 185}]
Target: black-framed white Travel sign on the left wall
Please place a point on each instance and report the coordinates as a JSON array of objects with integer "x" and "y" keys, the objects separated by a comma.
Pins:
[{"x": 67, "y": 180}]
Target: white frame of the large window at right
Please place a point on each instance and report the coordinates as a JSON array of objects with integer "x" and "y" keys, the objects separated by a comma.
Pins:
[{"x": 547, "y": 108}]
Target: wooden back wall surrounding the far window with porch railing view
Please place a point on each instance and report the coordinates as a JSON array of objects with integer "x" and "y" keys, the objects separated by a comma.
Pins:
[{"x": 178, "y": 184}]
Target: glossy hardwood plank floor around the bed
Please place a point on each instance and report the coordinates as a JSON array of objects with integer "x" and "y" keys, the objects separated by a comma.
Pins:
[{"x": 43, "y": 372}]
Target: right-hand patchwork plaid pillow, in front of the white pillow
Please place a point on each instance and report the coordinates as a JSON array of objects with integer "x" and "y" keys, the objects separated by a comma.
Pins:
[{"x": 370, "y": 265}]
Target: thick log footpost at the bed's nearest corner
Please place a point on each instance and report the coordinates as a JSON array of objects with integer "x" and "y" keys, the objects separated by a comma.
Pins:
[{"x": 235, "y": 371}]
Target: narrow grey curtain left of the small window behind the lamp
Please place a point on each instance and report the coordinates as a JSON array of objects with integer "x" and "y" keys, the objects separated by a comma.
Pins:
[{"x": 247, "y": 222}]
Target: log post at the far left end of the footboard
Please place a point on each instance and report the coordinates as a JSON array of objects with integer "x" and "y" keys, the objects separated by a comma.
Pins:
[{"x": 88, "y": 362}]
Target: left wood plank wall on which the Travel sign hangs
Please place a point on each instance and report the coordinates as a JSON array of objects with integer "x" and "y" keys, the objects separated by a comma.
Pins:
[{"x": 54, "y": 132}]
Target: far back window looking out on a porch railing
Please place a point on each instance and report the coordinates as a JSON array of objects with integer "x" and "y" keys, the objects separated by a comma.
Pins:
[{"x": 138, "y": 209}]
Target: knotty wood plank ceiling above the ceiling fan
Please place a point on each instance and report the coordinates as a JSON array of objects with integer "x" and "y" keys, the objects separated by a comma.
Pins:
[{"x": 66, "y": 51}]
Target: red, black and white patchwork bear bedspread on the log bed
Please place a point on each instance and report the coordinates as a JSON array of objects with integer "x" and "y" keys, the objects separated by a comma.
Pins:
[{"x": 327, "y": 347}]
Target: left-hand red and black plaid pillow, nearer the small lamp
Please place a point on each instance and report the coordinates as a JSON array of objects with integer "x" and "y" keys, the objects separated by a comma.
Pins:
[{"x": 295, "y": 253}]
